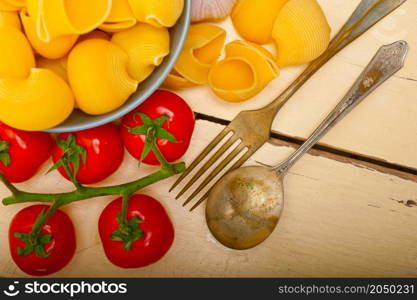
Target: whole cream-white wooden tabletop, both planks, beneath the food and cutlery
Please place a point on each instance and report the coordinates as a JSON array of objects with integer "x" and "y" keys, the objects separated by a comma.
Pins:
[{"x": 351, "y": 207}]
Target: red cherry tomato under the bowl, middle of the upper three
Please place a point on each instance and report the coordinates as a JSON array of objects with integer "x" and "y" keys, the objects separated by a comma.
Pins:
[{"x": 105, "y": 152}]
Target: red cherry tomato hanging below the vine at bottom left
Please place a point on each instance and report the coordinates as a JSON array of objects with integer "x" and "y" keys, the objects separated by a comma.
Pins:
[{"x": 62, "y": 246}]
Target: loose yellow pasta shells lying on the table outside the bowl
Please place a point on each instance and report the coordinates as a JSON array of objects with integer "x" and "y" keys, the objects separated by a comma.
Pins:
[{"x": 298, "y": 28}]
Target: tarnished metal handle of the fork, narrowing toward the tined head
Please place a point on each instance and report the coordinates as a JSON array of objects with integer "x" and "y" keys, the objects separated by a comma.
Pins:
[{"x": 367, "y": 14}]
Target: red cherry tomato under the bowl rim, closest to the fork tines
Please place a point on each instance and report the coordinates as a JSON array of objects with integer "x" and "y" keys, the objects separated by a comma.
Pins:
[{"x": 180, "y": 124}]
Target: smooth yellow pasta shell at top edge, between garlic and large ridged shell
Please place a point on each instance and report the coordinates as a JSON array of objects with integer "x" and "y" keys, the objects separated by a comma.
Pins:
[{"x": 254, "y": 20}]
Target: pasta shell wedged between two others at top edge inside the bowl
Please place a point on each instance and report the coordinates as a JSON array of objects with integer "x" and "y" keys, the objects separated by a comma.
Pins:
[{"x": 121, "y": 17}]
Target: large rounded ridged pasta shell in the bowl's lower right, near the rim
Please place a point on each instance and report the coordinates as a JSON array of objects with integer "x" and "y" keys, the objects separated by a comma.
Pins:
[{"x": 97, "y": 72}]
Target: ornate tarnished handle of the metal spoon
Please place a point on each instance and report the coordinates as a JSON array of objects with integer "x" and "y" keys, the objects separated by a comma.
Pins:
[{"x": 388, "y": 60}]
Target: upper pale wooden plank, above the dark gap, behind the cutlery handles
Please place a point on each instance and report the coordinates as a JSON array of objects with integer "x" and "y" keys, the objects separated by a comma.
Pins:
[{"x": 383, "y": 127}]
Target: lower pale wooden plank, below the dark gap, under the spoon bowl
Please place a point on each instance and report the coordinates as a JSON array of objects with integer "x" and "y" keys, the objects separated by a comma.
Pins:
[{"x": 340, "y": 219}]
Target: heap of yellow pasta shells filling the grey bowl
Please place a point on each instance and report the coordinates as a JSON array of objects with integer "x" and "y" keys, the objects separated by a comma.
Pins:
[{"x": 57, "y": 55}]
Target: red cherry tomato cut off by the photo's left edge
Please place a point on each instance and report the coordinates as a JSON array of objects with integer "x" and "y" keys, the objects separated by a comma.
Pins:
[{"x": 26, "y": 152}]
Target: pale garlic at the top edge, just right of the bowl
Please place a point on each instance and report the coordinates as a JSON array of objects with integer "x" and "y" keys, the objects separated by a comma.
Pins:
[{"x": 203, "y": 10}]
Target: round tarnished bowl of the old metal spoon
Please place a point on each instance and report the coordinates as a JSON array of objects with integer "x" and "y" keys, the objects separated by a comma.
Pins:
[{"x": 244, "y": 208}]
